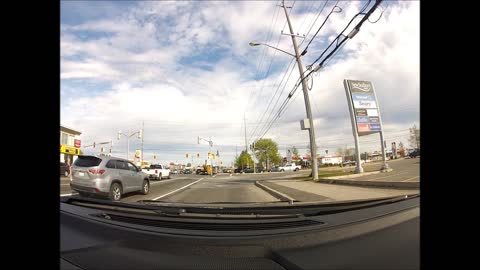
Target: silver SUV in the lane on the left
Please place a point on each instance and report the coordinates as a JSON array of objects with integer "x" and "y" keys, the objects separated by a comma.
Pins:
[{"x": 107, "y": 176}]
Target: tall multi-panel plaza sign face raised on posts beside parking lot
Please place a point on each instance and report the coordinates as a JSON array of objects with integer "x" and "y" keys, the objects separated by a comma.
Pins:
[{"x": 363, "y": 102}]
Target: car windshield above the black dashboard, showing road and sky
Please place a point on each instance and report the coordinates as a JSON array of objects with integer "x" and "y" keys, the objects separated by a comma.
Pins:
[{"x": 208, "y": 102}]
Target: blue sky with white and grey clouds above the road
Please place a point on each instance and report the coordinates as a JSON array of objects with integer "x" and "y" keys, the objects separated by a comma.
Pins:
[{"x": 185, "y": 69}]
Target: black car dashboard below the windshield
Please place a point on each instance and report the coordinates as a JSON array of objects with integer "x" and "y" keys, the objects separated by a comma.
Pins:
[{"x": 386, "y": 236}]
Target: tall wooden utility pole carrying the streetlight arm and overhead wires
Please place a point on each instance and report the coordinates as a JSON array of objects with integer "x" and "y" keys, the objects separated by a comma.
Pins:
[{"x": 311, "y": 130}]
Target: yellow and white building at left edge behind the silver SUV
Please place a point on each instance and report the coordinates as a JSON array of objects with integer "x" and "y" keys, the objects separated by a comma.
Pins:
[{"x": 69, "y": 144}]
